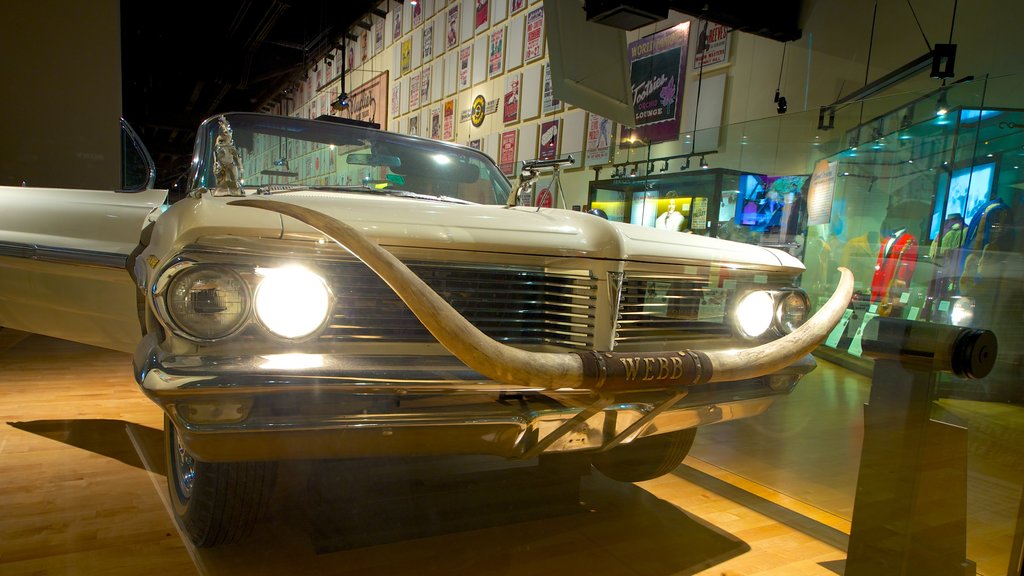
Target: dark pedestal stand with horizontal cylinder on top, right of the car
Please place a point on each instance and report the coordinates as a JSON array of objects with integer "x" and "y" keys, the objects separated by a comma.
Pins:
[{"x": 910, "y": 515}]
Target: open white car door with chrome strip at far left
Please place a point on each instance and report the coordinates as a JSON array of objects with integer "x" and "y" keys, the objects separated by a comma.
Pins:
[{"x": 64, "y": 255}]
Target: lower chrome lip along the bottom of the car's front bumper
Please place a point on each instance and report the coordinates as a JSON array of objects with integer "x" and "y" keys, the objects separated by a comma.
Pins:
[{"x": 483, "y": 431}]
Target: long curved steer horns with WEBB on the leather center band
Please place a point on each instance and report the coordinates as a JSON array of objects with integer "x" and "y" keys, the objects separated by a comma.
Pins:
[{"x": 584, "y": 371}]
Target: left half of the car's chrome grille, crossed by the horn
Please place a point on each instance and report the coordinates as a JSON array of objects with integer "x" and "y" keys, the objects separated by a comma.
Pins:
[{"x": 516, "y": 306}]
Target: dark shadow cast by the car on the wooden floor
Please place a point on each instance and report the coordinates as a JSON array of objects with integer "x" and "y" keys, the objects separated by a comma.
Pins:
[{"x": 450, "y": 516}]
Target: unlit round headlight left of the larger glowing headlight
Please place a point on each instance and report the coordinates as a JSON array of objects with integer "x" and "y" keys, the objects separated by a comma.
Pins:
[{"x": 207, "y": 303}]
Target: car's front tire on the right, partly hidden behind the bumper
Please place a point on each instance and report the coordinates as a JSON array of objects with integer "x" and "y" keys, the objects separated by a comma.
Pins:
[{"x": 646, "y": 459}]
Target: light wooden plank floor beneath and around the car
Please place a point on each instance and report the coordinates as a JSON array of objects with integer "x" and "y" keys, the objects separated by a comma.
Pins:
[{"x": 82, "y": 491}]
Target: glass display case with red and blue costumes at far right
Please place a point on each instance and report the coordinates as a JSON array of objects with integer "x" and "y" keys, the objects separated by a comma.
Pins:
[{"x": 924, "y": 217}]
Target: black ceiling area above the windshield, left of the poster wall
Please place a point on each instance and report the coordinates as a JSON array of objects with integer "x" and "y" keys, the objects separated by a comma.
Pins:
[{"x": 186, "y": 61}]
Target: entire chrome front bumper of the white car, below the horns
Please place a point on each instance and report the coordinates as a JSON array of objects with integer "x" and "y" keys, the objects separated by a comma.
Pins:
[{"x": 327, "y": 406}]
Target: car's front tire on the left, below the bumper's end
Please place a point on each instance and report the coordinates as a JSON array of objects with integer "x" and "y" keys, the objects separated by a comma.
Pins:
[{"x": 216, "y": 503}]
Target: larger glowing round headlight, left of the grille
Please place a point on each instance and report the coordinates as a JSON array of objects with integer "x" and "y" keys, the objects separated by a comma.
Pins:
[{"x": 292, "y": 303}]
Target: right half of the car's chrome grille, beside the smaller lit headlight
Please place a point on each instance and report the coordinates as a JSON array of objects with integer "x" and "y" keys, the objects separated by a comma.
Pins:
[{"x": 658, "y": 309}]
